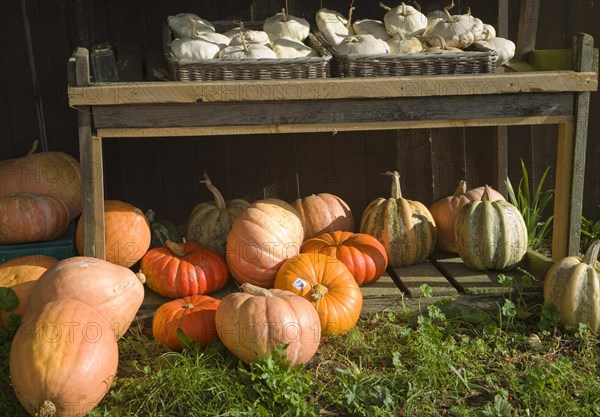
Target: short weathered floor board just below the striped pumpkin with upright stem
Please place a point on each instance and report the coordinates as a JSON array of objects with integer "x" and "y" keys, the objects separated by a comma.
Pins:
[{"x": 410, "y": 279}]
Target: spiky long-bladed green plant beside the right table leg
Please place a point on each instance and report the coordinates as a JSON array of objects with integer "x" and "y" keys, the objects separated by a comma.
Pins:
[{"x": 532, "y": 206}]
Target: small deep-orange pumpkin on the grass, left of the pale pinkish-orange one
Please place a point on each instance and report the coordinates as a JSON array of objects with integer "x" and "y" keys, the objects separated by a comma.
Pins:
[{"x": 194, "y": 315}]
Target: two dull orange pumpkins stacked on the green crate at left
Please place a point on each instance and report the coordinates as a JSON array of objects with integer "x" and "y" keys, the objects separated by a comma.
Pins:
[{"x": 40, "y": 194}]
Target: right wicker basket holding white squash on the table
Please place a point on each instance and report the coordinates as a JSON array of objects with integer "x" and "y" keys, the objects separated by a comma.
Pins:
[{"x": 476, "y": 59}]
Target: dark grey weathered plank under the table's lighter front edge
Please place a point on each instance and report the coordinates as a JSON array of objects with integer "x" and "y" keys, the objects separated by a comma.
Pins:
[{"x": 319, "y": 112}]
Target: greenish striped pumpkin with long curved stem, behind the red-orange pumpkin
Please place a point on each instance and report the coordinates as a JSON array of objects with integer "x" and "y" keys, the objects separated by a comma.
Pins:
[{"x": 210, "y": 223}]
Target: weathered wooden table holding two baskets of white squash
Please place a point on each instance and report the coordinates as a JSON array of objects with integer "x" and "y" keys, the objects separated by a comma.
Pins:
[{"x": 162, "y": 109}]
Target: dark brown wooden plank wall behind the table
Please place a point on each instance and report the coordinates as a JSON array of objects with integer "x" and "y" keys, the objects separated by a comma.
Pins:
[{"x": 38, "y": 36}]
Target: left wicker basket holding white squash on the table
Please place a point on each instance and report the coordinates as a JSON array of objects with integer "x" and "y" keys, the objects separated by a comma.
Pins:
[{"x": 264, "y": 69}]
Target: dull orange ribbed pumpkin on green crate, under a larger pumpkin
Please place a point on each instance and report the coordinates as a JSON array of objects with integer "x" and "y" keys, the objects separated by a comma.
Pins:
[{"x": 26, "y": 217}]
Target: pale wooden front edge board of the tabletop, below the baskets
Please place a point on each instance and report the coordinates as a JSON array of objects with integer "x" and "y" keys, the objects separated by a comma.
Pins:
[{"x": 332, "y": 88}]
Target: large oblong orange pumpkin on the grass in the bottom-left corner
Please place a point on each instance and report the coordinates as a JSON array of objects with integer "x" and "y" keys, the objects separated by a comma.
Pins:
[{"x": 63, "y": 359}]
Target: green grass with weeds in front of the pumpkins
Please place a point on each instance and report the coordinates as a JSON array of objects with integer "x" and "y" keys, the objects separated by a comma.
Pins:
[{"x": 453, "y": 360}]
